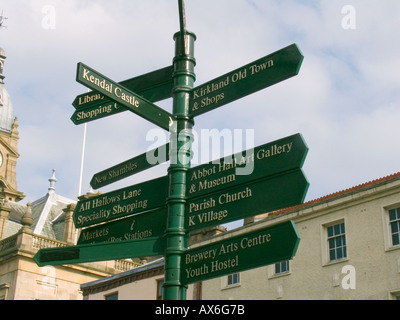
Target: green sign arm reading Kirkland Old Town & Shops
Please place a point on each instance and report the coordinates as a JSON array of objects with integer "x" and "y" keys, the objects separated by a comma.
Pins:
[{"x": 258, "y": 75}]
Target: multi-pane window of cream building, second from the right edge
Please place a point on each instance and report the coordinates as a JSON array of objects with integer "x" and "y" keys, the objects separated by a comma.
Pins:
[{"x": 337, "y": 242}]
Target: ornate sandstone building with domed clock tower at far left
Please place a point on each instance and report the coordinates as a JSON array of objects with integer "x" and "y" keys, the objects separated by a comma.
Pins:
[{"x": 26, "y": 228}]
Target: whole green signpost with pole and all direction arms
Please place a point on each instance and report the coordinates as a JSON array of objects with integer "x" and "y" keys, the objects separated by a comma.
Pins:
[{"x": 155, "y": 217}]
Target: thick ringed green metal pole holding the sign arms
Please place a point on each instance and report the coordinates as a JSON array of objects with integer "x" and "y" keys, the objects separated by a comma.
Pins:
[{"x": 180, "y": 157}]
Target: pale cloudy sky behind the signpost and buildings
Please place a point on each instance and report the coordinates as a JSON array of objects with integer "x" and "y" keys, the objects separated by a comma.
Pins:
[{"x": 345, "y": 101}]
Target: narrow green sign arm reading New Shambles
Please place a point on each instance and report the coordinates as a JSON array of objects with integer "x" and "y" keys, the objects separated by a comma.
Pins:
[{"x": 131, "y": 167}]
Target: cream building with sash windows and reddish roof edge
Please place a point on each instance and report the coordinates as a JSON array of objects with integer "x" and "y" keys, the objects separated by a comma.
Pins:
[{"x": 349, "y": 250}]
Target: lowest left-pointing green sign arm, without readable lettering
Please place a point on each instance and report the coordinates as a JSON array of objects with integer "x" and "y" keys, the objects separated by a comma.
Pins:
[{"x": 100, "y": 252}]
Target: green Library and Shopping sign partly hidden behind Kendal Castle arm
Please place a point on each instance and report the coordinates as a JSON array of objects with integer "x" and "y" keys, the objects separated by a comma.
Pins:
[{"x": 154, "y": 86}]
